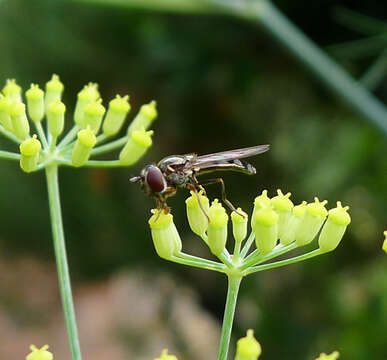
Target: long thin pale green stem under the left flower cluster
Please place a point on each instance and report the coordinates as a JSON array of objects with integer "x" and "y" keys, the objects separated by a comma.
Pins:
[{"x": 61, "y": 260}]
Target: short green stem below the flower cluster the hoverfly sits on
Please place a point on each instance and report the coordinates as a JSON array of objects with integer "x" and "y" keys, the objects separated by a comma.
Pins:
[{"x": 228, "y": 318}]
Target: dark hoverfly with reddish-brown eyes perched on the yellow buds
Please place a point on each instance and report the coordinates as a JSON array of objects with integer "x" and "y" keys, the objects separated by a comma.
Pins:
[{"x": 161, "y": 180}]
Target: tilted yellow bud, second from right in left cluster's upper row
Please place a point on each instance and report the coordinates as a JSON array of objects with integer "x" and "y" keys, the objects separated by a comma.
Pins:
[{"x": 115, "y": 117}]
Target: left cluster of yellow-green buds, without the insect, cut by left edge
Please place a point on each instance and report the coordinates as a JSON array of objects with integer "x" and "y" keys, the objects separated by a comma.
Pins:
[{"x": 93, "y": 125}]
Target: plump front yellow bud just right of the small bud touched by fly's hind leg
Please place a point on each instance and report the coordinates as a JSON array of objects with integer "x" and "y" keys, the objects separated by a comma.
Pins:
[{"x": 265, "y": 227}]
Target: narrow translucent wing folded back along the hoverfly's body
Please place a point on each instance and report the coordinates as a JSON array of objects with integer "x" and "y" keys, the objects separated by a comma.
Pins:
[{"x": 226, "y": 156}]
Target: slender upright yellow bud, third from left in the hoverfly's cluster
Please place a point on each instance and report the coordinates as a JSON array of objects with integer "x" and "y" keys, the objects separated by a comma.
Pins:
[{"x": 217, "y": 228}]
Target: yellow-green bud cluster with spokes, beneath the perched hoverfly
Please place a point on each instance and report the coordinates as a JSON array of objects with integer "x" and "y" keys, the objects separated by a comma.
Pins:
[{"x": 277, "y": 227}]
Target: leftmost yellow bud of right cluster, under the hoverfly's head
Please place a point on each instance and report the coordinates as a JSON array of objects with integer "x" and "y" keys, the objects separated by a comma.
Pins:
[{"x": 166, "y": 238}]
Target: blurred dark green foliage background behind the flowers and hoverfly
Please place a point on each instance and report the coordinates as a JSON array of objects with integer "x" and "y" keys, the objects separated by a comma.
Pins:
[{"x": 219, "y": 84}]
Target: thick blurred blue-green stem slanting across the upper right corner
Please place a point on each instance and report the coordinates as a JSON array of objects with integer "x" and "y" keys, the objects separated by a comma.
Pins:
[{"x": 327, "y": 70}]
